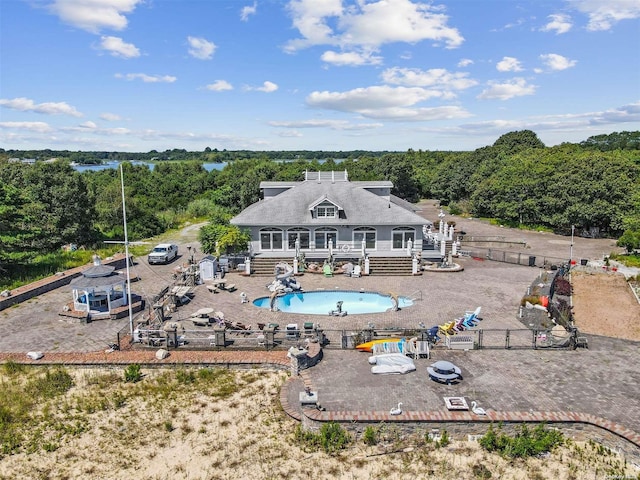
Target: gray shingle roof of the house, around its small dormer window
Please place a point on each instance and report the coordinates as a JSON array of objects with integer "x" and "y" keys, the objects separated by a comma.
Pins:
[{"x": 361, "y": 207}]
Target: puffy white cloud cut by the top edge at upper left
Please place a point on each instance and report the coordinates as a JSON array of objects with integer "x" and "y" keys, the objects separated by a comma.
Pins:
[{"x": 94, "y": 15}]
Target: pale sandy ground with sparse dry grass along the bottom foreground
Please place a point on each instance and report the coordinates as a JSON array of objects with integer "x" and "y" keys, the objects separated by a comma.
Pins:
[{"x": 172, "y": 426}]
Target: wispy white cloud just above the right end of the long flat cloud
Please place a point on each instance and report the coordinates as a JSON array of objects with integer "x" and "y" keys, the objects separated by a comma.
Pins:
[{"x": 435, "y": 77}]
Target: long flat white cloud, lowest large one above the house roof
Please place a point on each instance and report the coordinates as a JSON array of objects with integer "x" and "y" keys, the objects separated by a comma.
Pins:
[{"x": 385, "y": 102}]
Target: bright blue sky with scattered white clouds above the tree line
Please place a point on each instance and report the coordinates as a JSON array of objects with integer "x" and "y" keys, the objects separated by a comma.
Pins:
[{"x": 138, "y": 75}]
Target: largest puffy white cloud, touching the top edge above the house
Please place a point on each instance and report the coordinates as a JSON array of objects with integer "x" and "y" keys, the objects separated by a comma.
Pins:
[{"x": 369, "y": 25}]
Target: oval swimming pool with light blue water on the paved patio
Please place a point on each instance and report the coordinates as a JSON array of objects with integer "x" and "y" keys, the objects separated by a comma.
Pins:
[{"x": 322, "y": 302}]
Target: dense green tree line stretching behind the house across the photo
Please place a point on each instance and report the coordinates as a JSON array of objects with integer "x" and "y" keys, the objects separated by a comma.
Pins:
[{"x": 517, "y": 180}]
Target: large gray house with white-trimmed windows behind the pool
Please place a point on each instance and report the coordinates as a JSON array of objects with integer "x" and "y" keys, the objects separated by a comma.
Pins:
[{"x": 328, "y": 215}]
